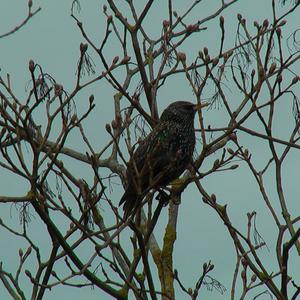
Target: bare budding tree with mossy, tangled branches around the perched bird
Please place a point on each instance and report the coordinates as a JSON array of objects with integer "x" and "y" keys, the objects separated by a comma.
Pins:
[{"x": 263, "y": 70}]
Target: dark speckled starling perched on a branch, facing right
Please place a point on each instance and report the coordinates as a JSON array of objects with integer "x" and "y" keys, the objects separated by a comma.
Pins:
[{"x": 163, "y": 155}]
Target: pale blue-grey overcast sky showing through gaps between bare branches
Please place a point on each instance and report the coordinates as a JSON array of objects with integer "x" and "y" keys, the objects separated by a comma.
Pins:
[{"x": 52, "y": 39}]
